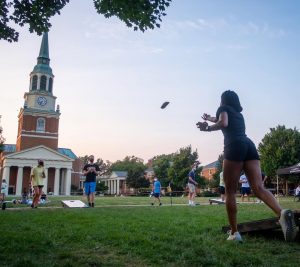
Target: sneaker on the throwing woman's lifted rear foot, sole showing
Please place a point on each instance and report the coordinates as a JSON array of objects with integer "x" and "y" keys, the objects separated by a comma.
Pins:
[{"x": 288, "y": 225}]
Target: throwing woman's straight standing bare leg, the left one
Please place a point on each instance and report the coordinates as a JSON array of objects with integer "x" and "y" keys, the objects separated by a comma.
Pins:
[{"x": 231, "y": 172}]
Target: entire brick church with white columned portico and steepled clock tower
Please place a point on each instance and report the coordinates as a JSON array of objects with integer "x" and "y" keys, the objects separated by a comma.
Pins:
[{"x": 37, "y": 137}]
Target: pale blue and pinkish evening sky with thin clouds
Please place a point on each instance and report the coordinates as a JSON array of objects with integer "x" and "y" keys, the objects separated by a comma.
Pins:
[{"x": 110, "y": 81}]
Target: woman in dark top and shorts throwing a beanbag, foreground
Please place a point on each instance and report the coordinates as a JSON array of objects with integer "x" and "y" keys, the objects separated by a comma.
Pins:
[{"x": 240, "y": 154}]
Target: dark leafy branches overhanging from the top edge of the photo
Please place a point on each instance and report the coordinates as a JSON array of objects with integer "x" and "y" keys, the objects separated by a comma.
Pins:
[{"x": 139, "y": 14}]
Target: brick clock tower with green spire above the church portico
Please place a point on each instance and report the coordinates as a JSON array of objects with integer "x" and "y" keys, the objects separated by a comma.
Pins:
[{"x": 38, "y": 120}]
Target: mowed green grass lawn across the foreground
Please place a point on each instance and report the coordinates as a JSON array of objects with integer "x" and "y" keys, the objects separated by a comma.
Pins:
[{"x": 112, "y": 235}]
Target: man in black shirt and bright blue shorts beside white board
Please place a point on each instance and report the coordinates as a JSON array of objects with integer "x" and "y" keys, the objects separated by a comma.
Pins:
[{"x": 90, "y": 171}]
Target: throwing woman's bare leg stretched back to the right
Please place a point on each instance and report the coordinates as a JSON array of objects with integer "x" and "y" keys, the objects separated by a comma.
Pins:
[{"x": 253, "y": 173}]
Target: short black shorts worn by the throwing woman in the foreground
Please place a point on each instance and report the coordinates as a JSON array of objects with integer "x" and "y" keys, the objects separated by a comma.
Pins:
[{"x": 241, "y": 150}]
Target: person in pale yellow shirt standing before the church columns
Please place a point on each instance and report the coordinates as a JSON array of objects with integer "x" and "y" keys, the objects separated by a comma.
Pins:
[{"x": 37, "y": 176}]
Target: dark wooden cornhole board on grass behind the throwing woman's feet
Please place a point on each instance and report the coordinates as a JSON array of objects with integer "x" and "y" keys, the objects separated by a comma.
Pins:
[{"x": 261, "y": 225}]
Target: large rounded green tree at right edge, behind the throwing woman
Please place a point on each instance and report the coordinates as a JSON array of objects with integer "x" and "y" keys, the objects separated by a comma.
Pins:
[{"x": 279, "y": 148}]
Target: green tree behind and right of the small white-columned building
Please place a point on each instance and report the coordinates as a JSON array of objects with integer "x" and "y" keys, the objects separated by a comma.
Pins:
[{"x": 135, "y": 171}]
